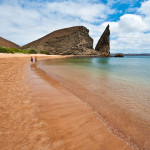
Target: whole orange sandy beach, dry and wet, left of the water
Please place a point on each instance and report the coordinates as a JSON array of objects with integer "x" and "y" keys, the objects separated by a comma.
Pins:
[{"x": 38, "y": 113}]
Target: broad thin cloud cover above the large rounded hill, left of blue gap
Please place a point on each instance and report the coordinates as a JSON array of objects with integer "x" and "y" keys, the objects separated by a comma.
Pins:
[{"x": 24, "y": 21}]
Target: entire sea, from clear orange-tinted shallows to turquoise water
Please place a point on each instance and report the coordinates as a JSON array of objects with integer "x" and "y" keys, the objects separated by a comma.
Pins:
[{"x": 117, "y": 90}]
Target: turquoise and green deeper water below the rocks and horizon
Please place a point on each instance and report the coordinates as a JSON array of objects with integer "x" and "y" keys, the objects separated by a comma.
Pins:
[{"x": 133, "y": 68}]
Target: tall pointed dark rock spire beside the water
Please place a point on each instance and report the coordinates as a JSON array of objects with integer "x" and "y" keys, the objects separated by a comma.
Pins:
[{"x": 103, "y": 45}]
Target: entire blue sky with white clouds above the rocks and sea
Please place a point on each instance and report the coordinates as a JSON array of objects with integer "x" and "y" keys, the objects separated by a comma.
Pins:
[{"x": 23, "y": 21}]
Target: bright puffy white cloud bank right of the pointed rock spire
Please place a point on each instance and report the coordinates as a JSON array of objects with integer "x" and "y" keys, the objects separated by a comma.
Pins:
[{"x": 131, "y": 34}]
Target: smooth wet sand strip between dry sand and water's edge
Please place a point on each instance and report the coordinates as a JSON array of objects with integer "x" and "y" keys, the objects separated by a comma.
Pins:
[{"x": 69, "y": 123}]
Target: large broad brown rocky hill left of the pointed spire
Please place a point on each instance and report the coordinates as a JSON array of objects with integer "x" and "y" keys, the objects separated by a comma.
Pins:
[{"x": 68, "y": 41}]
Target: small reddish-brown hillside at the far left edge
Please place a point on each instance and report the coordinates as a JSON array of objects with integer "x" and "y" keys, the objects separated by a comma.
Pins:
[{"x": 9, "y": 44}]
